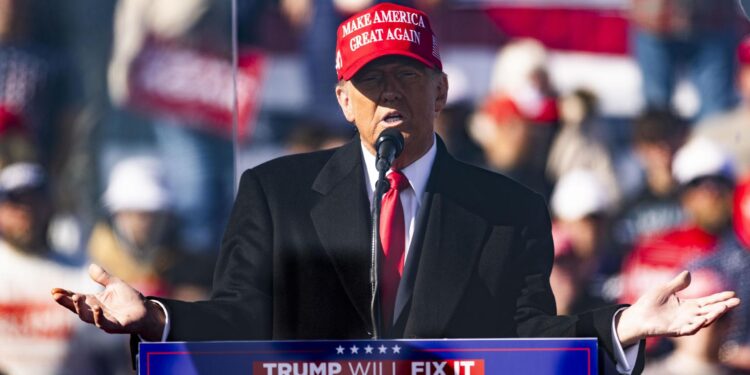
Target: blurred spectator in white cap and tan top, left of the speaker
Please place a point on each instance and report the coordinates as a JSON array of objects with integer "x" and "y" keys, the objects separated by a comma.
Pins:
[{"x": 137, "y": 242}]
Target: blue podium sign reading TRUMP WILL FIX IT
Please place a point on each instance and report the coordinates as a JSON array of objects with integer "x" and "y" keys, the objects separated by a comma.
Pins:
[{"x": 372, "y": 357}]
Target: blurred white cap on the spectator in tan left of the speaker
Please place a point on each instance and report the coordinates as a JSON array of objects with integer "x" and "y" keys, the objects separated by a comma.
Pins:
[{"x": 137, "y": 184}]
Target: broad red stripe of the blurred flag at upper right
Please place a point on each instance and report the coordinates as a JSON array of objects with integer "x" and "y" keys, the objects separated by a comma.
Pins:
[{"x": 589, "y": 30}]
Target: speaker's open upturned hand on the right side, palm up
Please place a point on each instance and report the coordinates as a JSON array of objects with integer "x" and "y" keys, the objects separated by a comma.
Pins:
[{"x": 660, "y": 312}]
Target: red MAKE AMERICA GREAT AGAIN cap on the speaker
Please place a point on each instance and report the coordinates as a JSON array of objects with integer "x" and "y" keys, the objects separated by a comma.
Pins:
[{"x": 384, "y": 29}]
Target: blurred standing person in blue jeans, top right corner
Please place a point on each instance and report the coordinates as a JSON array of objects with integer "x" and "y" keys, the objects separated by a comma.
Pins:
[{"x": 694, "y": 36}]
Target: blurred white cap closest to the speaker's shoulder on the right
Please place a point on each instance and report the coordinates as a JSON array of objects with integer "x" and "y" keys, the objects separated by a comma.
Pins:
[{"x": 579, "y": 193}]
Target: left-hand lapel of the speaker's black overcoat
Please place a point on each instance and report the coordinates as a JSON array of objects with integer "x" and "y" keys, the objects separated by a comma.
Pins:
[{"x": 341, "y": 220}]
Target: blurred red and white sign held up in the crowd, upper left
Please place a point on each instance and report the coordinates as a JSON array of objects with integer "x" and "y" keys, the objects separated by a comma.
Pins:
[{"x": 195, "y": 86}]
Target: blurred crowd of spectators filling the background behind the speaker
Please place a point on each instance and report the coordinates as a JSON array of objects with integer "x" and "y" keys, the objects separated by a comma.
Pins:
[{"x": 121, "y": 139}]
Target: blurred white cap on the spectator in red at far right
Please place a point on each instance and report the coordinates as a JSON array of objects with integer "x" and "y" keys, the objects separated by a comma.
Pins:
[{"x": 701, "y": 157}]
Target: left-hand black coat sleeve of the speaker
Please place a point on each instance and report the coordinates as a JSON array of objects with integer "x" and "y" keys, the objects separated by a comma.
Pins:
[{"x": 240, "y": 306}]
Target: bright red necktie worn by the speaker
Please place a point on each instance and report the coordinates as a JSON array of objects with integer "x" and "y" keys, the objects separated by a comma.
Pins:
[{"x": 392, "y": 237}]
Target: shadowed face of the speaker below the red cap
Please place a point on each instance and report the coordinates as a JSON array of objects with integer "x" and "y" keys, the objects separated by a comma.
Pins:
[{"x": 395, "y": 92}]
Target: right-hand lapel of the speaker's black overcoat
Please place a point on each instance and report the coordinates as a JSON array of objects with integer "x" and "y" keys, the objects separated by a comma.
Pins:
[{"x": 453, "y": 237}]
